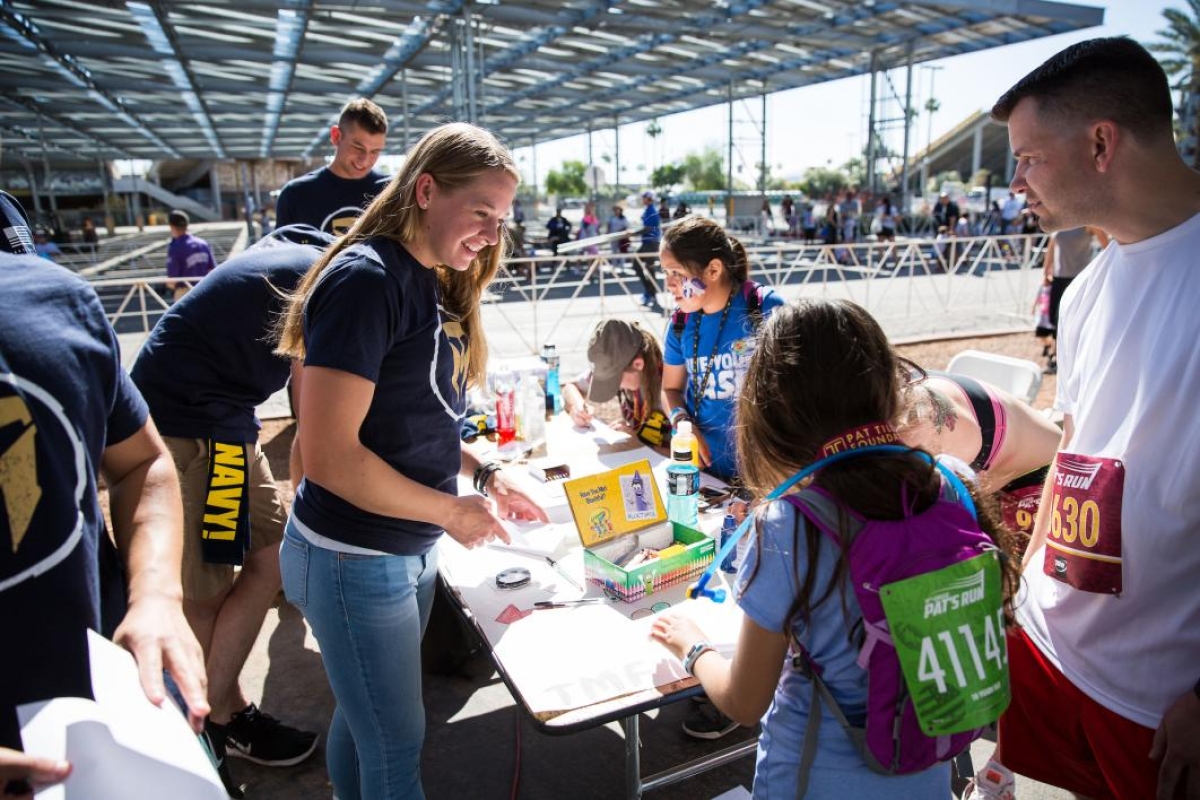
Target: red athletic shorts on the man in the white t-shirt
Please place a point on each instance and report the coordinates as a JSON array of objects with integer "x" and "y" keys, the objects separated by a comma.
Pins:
[{"x": 1057, "y": 735}]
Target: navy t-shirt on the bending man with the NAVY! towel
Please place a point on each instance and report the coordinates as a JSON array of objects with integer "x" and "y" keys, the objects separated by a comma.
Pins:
[{"x": 209, "y": 362}]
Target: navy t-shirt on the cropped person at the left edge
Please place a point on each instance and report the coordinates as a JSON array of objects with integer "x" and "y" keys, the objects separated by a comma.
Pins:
[{"x": 64, "y": 398}]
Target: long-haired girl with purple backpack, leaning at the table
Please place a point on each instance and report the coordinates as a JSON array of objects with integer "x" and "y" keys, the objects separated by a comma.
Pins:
[{"x": 825, "y": 383}]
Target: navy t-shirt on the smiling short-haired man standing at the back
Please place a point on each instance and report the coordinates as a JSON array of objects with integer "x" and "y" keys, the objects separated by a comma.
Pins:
[{"x": 327, "y": 202}]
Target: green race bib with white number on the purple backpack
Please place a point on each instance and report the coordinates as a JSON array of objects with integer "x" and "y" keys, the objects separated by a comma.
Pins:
[{"x": 949, "y": 630}]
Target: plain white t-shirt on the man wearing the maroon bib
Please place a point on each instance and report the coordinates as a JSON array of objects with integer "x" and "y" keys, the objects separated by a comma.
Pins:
[{"x": 1130, "y": 376}]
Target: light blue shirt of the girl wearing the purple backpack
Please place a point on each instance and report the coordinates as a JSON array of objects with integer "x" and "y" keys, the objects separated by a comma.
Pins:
[{"x": 769, "y": 584}]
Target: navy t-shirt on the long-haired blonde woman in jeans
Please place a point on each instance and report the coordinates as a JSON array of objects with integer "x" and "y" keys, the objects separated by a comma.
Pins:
[{"x": 376, "y": 312}]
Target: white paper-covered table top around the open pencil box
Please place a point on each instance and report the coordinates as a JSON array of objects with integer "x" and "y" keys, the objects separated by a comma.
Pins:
[{"x": 573, "y": 659}]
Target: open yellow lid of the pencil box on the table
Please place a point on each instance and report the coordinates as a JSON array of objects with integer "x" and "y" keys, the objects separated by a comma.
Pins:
[{"x": 613, "y": 504}]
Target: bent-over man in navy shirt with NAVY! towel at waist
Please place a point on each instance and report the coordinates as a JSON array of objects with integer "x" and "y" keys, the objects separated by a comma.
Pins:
[{"x": 205, "y": 370}]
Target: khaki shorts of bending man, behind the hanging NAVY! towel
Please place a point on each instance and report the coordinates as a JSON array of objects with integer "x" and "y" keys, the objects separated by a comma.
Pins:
[{"x": 203, "y": 581}]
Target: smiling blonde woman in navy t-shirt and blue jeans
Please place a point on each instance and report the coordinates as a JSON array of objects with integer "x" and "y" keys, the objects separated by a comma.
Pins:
[{"x": 389, "y": 330}]
